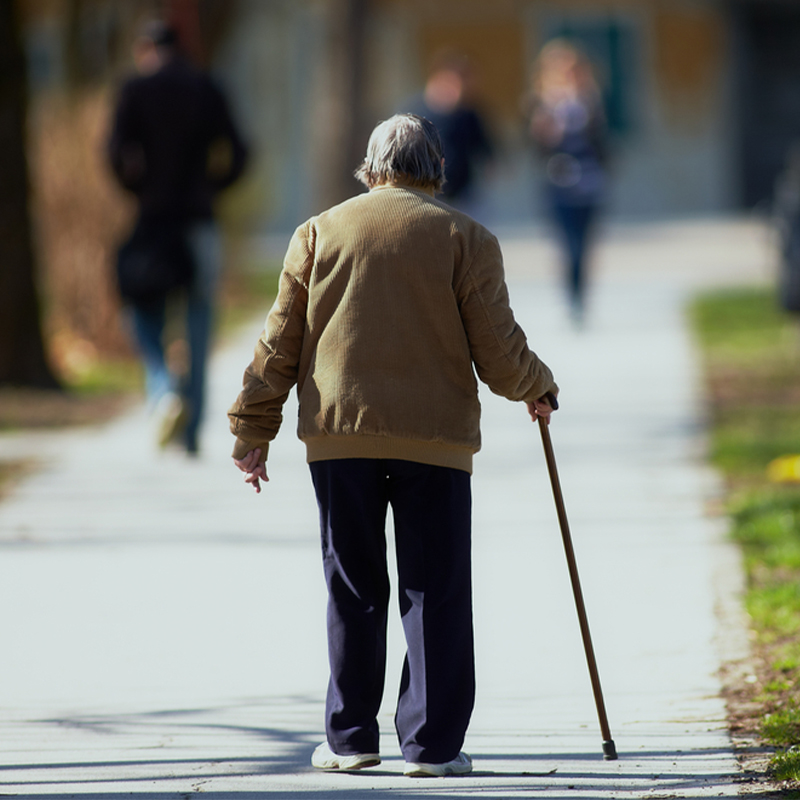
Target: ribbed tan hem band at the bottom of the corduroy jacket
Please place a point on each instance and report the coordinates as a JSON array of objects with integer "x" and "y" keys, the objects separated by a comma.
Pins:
[{"x": 439, "y": 454}]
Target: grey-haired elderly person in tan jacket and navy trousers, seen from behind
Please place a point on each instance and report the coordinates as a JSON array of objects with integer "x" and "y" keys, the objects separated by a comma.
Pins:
[{"x": 388, "y": 305}]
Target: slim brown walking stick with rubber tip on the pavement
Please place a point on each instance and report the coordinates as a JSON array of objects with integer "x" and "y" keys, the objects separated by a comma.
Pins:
[{"x": 609, "y": 749}]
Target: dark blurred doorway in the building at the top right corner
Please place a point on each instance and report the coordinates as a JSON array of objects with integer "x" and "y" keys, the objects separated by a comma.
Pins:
[{"x": 767, "y": 37}]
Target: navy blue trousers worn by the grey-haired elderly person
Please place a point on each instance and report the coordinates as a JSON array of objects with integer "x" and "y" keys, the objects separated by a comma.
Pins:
[{"x": 432, "y": 510}]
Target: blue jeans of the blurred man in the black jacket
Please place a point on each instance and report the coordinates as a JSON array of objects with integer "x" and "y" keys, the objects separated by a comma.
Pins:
[{"x": 149, "y": 321}]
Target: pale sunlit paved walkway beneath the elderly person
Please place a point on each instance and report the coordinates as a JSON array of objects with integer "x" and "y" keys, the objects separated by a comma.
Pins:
[{"x": 162, "y": 627}]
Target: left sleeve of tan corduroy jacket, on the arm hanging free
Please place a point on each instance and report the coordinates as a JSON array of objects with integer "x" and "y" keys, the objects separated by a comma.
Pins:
[{"x": 256, "y": 416}]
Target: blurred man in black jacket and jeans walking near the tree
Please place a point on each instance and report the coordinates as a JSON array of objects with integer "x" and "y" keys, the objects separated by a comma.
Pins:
[{"x": 174, "y": 144}]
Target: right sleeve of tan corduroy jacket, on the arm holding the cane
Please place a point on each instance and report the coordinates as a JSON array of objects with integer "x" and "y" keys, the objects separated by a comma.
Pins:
[{"x": 498, "y": 345}]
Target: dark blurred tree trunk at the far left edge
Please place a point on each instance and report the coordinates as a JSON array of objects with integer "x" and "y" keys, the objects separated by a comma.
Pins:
[{"x": 22, "y": 357}]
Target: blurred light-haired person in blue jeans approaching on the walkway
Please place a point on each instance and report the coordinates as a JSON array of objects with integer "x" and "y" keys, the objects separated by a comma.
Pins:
[{"x": 568, "y": 126}]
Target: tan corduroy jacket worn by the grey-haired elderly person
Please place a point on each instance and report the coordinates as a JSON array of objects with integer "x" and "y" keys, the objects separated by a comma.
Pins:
[{"x": 388, "y": 306}]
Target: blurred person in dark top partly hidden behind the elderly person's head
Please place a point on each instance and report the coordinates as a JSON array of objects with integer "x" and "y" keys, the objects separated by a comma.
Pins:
[{"x": 446, "y": 101}]
